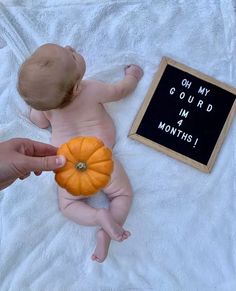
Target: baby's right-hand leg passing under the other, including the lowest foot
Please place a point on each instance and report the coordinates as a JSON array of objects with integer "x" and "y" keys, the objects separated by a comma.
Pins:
[{"x": 119, "y": 193}]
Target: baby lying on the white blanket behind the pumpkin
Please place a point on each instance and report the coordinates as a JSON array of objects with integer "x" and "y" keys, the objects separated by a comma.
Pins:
[{"x": 51, "y": 82}]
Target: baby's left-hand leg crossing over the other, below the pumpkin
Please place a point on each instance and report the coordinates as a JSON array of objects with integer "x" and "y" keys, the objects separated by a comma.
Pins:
[{"x": 79, "y": 211}]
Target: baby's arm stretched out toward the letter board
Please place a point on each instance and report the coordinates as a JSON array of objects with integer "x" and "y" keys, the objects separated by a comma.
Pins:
[{"x": 121, "y": 89}]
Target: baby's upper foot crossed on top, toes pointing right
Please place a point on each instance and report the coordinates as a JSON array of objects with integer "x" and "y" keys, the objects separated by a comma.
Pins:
[{"x": 107, "y": 222}]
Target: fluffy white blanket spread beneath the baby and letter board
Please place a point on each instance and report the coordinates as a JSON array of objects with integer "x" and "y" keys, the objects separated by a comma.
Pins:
[{"x": 183, "y": 221}]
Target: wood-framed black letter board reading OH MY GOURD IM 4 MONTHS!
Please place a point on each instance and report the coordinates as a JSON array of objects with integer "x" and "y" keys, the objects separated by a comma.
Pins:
[{"x": 185, "y": 114}]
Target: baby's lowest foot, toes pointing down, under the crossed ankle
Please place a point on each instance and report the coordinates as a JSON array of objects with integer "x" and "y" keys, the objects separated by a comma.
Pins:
[{"x": 101, "y": 250}]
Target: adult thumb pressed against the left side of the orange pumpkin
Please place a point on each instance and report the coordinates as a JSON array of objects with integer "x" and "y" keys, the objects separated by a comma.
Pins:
[{"x": 48, "y": 163}]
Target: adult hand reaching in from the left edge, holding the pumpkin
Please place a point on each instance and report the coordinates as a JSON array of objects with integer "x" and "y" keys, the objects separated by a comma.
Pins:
[{"x": 20, "y": 156}]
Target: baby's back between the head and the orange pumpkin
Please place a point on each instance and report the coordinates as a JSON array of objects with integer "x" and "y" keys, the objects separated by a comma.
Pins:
[{"x": 83, "y": 117}]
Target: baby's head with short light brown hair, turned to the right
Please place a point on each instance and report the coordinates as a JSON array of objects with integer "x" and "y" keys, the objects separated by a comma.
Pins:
[{"x": 51, "y": 77}]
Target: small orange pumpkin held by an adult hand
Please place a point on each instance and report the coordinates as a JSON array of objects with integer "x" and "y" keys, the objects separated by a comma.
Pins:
[{"x": 88, "y": 166}]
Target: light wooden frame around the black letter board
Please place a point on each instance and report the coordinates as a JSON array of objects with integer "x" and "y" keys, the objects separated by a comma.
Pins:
[{"x": 157, "y": 77}]
